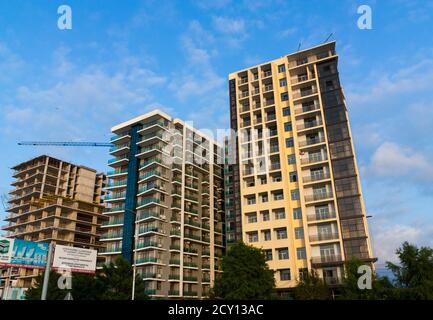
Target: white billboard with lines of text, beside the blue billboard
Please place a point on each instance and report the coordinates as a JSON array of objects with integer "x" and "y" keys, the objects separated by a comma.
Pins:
[{"x": 74, "y": 259}]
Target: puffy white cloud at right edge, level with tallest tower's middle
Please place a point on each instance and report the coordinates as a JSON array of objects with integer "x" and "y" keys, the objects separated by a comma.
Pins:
[{"x": 393, "y": 160}]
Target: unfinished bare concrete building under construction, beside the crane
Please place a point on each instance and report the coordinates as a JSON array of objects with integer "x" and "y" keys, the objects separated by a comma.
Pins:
[{"x": 53, "y": 201}]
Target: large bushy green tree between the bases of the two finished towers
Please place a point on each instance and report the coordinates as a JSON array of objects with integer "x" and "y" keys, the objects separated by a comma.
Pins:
[{"x": 245, "y": 275}]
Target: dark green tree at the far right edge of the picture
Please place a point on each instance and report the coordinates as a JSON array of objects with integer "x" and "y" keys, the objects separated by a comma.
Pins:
[{"x": 413, "y": 273}]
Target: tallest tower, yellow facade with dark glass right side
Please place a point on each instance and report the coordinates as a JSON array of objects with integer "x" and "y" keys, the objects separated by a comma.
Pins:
[{"x": 296, "y": 183}]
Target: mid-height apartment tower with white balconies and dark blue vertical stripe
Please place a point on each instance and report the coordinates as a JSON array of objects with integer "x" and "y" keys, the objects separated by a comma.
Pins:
[{"x": 165, "y": 204}]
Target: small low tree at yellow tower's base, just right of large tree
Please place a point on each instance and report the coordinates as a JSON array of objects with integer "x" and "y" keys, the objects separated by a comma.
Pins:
[{"x": 311, "y": 287}]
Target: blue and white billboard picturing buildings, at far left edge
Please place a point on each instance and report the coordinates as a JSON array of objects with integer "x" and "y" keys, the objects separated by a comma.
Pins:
[{"x": 23, "y": 253}]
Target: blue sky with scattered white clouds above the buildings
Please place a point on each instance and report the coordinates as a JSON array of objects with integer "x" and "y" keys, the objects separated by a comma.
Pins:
[{"x": 123, "y": 58}]
